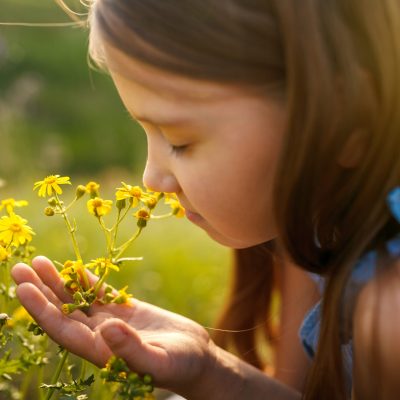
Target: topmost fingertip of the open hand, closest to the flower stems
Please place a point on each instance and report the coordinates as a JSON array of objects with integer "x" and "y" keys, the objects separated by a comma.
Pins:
[{"x": 49, "y": 275}]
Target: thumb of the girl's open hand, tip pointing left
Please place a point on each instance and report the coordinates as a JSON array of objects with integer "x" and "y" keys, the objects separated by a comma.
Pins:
[{"x": 125, "y": 342}]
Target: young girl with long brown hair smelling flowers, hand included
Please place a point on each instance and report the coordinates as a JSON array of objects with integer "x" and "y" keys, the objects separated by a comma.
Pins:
[{"x": 276, "y": 123}]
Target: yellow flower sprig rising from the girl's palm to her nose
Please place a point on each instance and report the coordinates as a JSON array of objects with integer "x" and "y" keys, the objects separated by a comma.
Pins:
[{"x": 132, "y": 199}]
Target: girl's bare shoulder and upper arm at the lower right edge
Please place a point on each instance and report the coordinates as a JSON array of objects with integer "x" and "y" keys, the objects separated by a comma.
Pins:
[{"x": 377, "y": 337}]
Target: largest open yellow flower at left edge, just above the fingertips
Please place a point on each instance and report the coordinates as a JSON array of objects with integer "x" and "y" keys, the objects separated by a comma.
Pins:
[{"x": 14, "y": 231}]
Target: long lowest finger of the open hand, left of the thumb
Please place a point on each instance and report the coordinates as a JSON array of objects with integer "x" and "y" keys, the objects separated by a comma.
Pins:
[{"x": 69, "y": 333}]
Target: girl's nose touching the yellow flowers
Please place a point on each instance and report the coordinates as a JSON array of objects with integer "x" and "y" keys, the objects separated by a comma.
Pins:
[{"x": 159, "y": 179}]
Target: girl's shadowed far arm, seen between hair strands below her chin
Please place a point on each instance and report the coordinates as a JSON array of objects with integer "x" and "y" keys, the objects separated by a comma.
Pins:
[{"x": 299, "y": 294}]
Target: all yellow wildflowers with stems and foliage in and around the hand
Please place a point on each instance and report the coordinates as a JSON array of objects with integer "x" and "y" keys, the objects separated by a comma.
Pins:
[{"x": 23, "y": 344}]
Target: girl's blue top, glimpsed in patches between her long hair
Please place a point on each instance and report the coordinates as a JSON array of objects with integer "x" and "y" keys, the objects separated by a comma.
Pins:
[{"x": 363, "y": 271}]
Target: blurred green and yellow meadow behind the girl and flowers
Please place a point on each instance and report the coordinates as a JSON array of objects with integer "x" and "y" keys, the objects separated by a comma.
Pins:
[{"x": 58, "y": 116}]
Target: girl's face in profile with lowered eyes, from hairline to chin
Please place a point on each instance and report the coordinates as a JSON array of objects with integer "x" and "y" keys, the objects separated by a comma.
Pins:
[{"x": 216, "y": 146}]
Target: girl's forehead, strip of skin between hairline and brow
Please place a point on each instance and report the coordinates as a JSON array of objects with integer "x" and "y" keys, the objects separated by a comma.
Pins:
[{"x": 164, "y": 83}]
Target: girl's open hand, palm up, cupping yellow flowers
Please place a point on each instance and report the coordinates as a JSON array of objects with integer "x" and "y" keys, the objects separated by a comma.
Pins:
[{"x": 174, "y": 350}]
